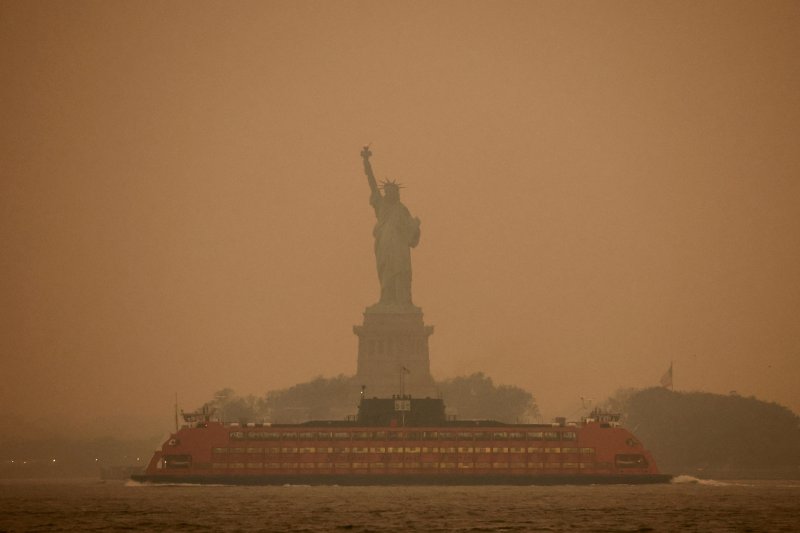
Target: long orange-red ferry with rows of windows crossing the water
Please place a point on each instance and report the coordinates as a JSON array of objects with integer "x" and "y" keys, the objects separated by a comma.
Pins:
[{"x": 402, "y": 440}]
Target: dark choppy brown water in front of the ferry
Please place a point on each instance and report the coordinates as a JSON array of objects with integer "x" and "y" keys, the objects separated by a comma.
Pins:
[{"x": 685, "y": 505}]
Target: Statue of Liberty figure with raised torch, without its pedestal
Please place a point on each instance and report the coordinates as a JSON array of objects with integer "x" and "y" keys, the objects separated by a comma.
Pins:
[{"x": 395, "y": 232}]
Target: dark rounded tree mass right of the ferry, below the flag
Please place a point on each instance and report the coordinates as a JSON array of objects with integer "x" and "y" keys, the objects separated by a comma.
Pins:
[{"x": 713, "y": 435}]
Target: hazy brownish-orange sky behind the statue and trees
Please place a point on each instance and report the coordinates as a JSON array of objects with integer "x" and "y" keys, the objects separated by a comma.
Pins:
[{"x": 604, "y": 187}]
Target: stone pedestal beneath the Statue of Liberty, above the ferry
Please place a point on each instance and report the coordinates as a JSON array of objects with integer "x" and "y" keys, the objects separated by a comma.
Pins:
[{"x": 392, "y": 339}]
